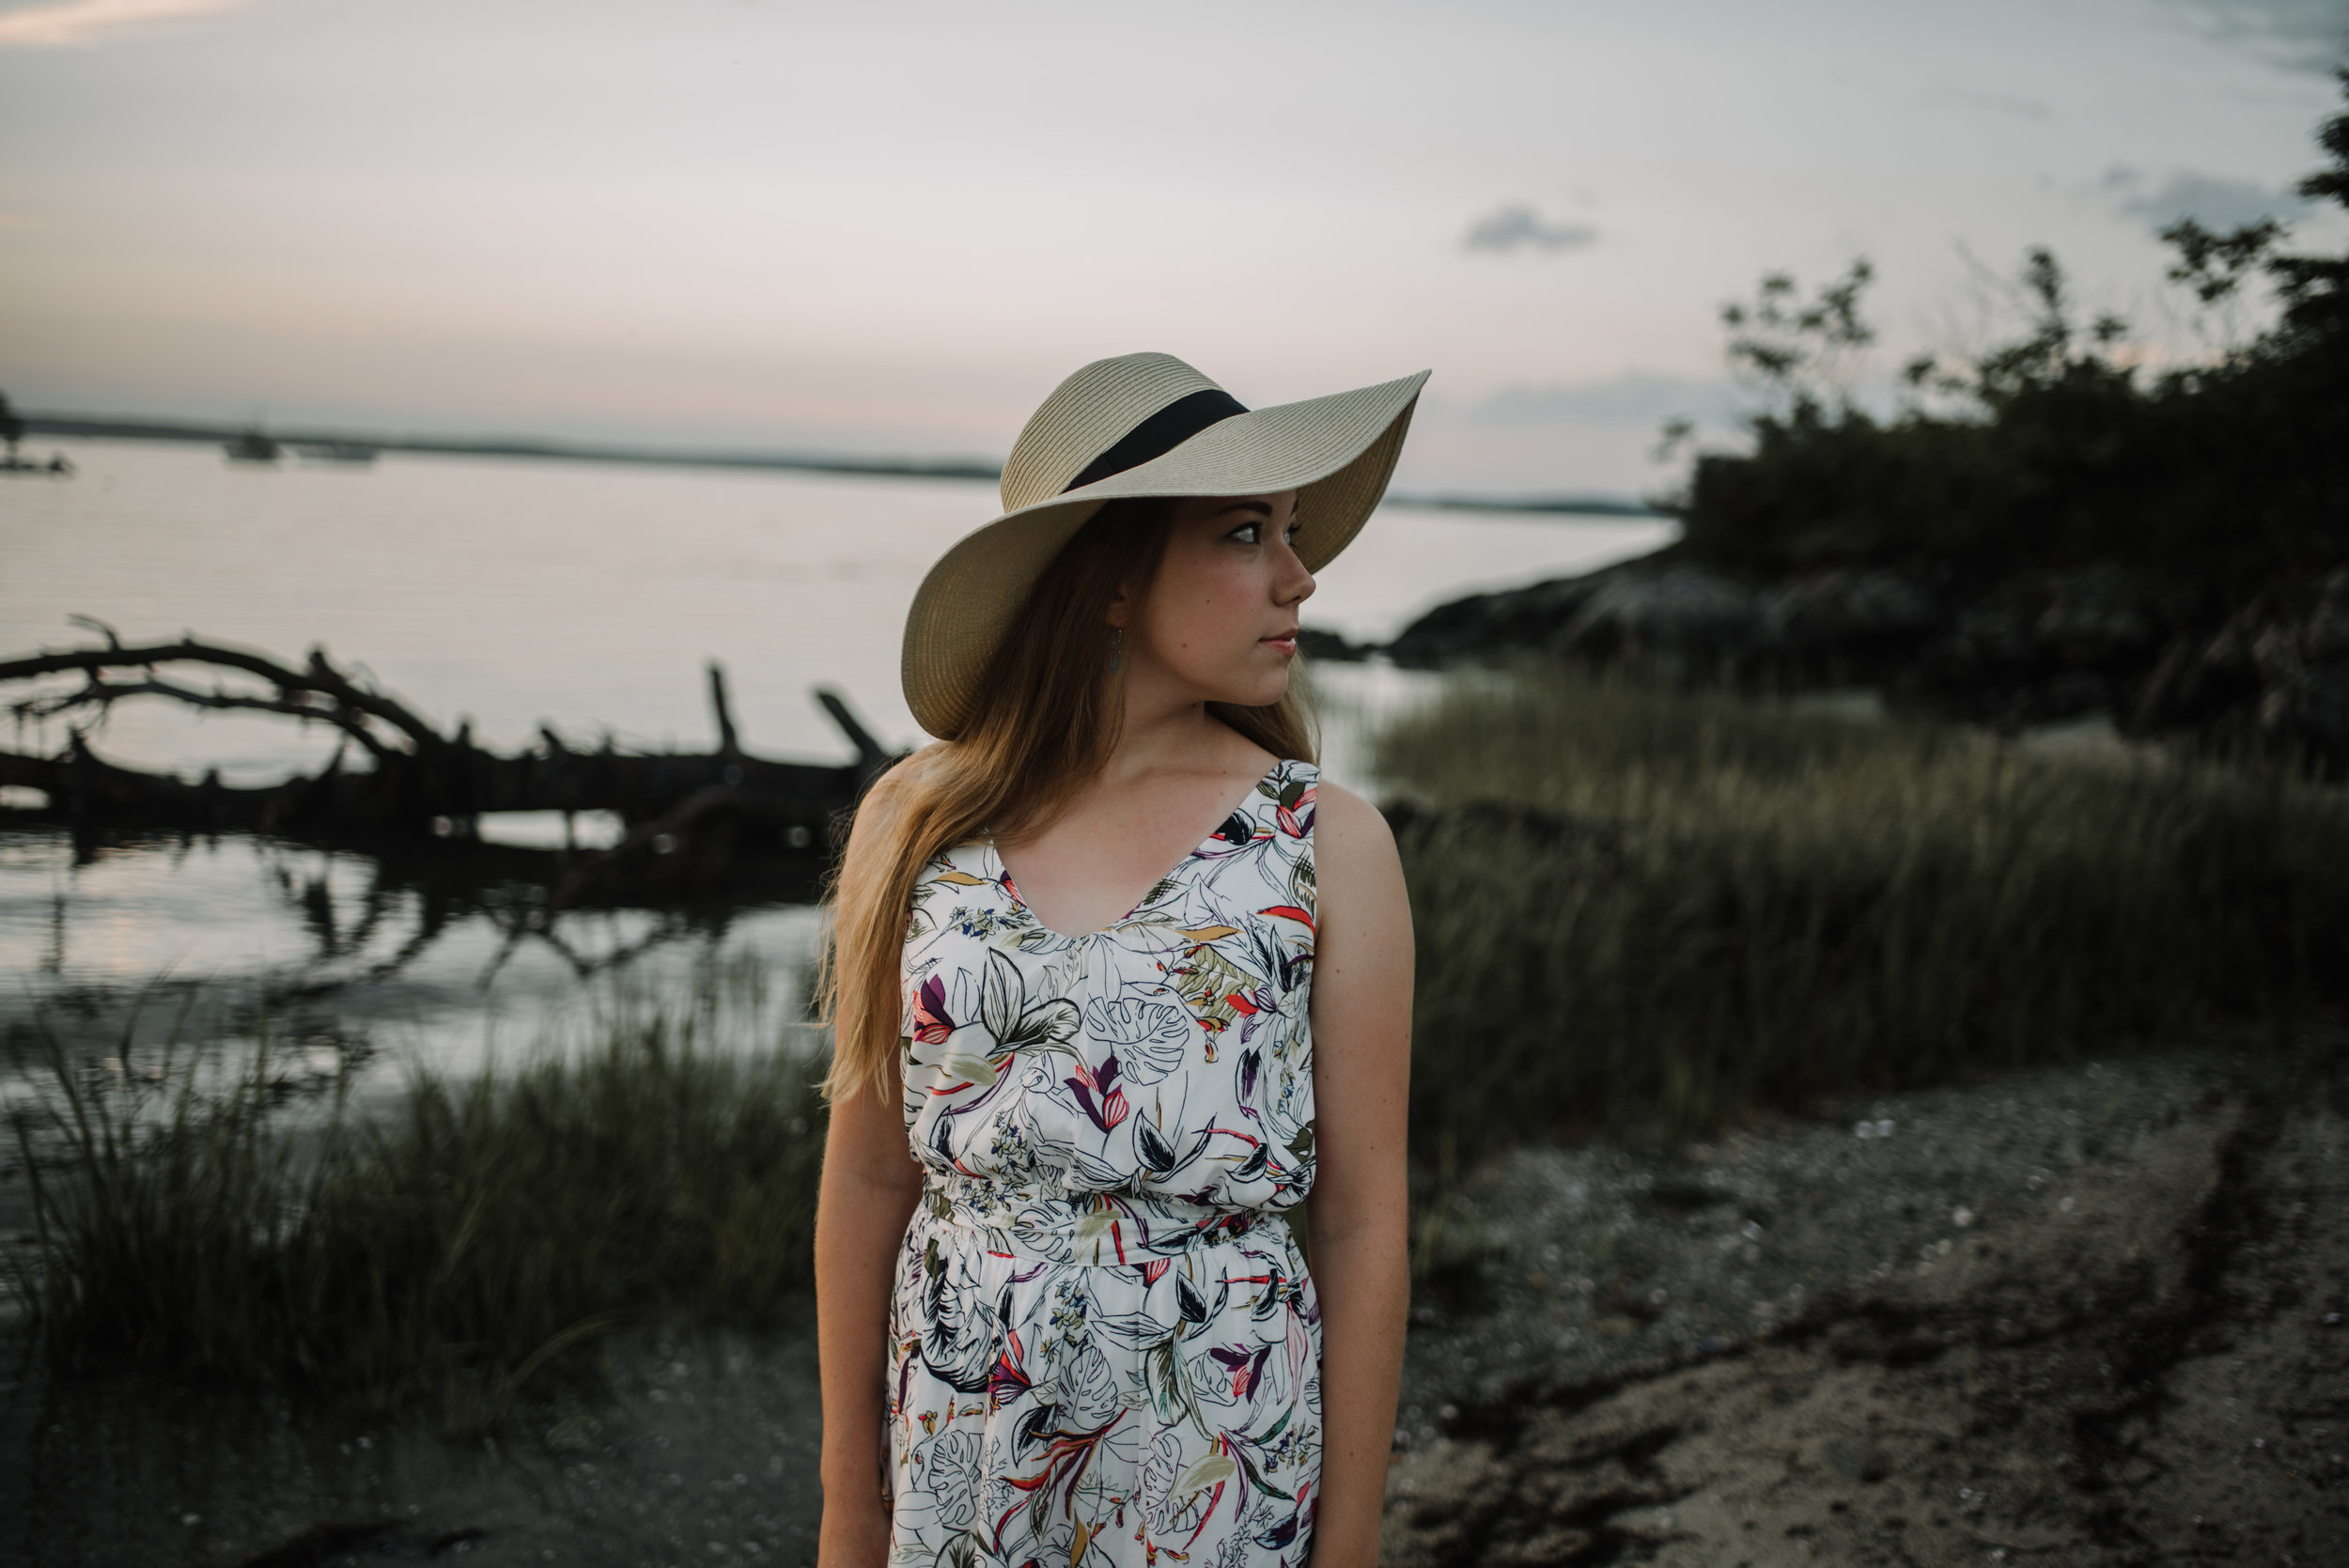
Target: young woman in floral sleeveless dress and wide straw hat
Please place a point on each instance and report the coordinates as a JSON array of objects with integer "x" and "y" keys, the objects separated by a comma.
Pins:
[{"x": 1115, "y": 982}]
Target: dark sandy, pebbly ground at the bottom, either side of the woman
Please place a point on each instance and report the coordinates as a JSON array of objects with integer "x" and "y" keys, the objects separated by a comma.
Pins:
[{"x": 2087, "y": 1316}]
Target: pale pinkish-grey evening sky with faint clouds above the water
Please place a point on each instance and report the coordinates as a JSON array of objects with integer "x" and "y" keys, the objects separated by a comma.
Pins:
[{"x": 891, "y": 229}]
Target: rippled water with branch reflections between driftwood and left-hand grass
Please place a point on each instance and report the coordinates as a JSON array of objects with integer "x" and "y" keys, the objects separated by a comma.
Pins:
[{"x": 217, "y": 940}]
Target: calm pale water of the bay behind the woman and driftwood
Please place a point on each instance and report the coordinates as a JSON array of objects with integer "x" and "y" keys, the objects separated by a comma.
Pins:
[{"x": 516, "y": 595}]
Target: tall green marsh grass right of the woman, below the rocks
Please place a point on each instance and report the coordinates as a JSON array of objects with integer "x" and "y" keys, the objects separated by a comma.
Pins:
[{"x": 1645, "y": 905}]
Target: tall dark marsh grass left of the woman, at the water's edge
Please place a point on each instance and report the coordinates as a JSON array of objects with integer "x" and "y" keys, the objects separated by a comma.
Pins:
[{"x": 447, "y": 1245}]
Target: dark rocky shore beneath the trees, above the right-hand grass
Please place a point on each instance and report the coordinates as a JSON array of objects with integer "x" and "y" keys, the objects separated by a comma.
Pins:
[{"x": 2031, "y": 649}]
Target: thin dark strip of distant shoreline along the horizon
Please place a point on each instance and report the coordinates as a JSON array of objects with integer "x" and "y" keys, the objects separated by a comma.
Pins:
[{"x": 661, "y": 457}]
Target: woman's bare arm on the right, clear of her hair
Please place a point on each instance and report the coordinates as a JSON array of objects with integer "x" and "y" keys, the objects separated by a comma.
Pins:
[{"x": 1359, "y": 1224}]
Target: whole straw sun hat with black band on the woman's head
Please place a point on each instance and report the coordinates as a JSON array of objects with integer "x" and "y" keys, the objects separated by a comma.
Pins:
[{"x": 1140, "y": 426}]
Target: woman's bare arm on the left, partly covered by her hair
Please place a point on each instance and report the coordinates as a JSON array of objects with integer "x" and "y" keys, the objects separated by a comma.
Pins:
[{"x": 863, "y": 1205}]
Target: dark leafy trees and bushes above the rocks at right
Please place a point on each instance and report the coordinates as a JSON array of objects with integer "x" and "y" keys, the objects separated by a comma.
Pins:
[{"x": 2052, "y": 450}]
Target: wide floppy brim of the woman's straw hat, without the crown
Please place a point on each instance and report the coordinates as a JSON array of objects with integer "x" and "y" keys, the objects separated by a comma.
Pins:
[{"x": 1335, "y": 452}]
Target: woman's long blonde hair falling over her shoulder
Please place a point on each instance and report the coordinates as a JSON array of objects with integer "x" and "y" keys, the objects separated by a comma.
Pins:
[{"x": 1049, "y": 722}]
